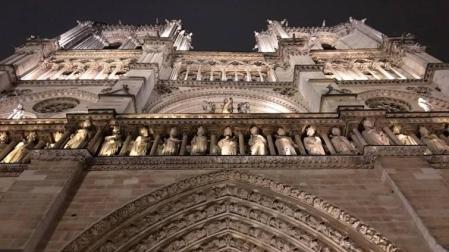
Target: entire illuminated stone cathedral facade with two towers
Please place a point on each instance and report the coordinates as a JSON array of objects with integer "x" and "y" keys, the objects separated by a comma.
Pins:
[{"x": 119, "y": 137}]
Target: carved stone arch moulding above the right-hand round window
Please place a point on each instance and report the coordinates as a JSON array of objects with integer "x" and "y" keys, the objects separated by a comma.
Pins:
[{"x": 411, "y": 98}]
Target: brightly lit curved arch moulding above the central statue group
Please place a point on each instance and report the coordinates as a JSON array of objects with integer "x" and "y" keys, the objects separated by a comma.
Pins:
[{"x": 182, "y": 96}]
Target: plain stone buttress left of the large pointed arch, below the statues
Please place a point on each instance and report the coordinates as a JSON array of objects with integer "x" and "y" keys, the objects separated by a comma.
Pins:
[{"x": 37, "y": 198}]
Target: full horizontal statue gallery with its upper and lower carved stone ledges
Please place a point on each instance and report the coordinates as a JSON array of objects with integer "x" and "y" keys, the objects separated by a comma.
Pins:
[{"x": 350, "y": 138}]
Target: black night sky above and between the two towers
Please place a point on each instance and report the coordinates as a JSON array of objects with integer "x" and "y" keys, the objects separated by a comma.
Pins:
[{"x": 227, "y": 25}]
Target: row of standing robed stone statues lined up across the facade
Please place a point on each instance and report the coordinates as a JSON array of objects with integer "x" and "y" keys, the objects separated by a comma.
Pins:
[{"x": 308, "y": 143}]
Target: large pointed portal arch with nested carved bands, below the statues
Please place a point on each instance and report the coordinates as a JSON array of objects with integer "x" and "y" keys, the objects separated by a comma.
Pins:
[{"x": 229, "y": 211}]
